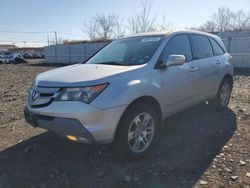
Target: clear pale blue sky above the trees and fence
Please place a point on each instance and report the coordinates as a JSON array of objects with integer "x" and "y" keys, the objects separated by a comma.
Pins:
[{"x": 68, "y": 15}]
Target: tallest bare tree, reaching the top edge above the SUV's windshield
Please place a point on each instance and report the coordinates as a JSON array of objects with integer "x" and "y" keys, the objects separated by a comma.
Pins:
[{"x": 142, "y": 21}]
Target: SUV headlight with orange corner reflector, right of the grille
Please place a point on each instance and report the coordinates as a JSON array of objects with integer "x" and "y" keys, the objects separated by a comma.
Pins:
[{"x": 83, "y": 94}]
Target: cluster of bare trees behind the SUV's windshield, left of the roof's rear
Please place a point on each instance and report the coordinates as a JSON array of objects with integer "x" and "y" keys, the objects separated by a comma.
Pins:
[{"x": 109, "y": 26}]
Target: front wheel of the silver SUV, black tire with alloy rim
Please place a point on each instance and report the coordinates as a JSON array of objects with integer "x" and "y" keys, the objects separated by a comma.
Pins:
[{"x": 137, "y": 131}]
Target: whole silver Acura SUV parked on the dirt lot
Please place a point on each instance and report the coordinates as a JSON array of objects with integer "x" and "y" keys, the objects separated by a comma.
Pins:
[{"x": 124, "y": 92}]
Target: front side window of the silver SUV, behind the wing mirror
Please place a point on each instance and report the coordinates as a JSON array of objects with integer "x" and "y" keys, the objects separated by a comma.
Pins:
[{"x": 178, "y": 45}]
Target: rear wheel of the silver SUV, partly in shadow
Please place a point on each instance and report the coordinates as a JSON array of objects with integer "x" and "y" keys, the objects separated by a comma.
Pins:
[{"x": 222, "y": 98}]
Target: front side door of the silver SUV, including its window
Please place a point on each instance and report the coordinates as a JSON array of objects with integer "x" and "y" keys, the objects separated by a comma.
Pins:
[{"x": 181, "y": 83}]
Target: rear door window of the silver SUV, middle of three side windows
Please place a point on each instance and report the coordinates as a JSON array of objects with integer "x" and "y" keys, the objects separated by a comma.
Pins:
[{"x": 201, "y": 47}]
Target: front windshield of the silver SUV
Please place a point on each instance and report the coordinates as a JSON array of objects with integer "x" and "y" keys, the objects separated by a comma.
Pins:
[{"x": 128, "y": 51}]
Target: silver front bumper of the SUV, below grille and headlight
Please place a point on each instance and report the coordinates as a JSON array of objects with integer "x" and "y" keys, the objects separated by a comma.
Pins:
[{"x": 88, "y": 124}]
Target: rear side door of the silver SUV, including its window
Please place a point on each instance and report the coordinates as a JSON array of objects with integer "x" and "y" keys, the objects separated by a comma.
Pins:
[{"x": 203, "y": 53}]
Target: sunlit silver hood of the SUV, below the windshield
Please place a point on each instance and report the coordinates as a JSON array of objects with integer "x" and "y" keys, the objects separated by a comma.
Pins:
[{"x": 80, "y": 74}]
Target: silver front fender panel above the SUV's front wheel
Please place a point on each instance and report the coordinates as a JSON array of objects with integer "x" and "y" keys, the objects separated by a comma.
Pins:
[{"x": 126, "y": 90}]
